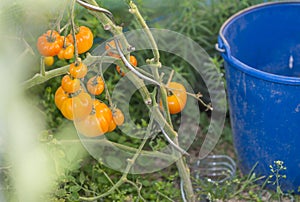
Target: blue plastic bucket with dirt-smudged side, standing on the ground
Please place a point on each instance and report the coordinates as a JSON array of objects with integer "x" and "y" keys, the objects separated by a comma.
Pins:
[{"x": 261, "y": 50}]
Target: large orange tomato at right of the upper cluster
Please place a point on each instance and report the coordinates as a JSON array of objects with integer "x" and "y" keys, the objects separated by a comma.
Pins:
[{"x": 84, "y": 39}]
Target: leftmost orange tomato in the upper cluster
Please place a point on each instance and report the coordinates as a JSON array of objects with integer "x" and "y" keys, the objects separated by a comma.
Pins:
[{"x": 50, "y": 43}]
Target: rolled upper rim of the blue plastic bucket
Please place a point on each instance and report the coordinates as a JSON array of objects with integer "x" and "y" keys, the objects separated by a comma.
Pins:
[{"x": 244, "y": 67}]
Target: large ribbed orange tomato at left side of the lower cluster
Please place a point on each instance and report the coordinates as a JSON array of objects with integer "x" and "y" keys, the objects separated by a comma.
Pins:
[{"x": 75, "y": 106}]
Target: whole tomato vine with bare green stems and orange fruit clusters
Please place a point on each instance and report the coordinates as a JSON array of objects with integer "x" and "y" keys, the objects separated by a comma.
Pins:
[{"x": 92, "y": 116}]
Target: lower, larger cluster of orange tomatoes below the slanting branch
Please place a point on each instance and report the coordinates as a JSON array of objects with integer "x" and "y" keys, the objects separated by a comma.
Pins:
[{"x": 74, "y": 99}]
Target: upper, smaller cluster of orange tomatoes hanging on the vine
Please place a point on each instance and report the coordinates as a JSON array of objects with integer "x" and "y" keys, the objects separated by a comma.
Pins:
[{"x": 52, "y": 44}]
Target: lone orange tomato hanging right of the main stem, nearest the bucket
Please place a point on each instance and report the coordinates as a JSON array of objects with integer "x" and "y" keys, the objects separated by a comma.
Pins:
[{"x": 177, "y": 100}]
